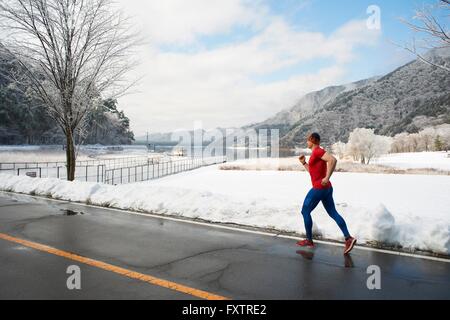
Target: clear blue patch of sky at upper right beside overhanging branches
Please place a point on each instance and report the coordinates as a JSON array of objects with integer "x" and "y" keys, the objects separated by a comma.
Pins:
[{"x": 328, "y": 15}]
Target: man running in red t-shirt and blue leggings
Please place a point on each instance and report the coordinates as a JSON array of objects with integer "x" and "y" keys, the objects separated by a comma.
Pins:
[{"x": 321, "y": 166}]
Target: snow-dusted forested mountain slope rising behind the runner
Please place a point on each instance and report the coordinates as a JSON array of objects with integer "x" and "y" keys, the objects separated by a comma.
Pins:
[{"x": 410, "y": 98}]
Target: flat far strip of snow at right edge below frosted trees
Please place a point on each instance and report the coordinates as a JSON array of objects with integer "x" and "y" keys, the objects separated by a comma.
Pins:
[{"x": 418, "y": 160}]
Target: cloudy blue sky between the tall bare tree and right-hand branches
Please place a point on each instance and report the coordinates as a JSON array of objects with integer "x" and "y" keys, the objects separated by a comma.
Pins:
[{"x": 229, "y": 63}]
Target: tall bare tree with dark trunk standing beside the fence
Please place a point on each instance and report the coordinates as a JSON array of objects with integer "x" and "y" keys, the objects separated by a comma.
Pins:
[{"x": 71, "y": 53}]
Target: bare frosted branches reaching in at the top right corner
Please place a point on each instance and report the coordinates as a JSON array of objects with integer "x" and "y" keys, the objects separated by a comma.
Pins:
[{"x": 433, "y": 25}]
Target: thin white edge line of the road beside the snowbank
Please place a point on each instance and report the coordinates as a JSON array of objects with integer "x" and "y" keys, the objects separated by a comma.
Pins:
[{"x": 212, "y": 225}]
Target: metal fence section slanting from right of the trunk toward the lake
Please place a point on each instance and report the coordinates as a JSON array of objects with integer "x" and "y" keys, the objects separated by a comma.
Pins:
[{"x": 152, "y": 171}]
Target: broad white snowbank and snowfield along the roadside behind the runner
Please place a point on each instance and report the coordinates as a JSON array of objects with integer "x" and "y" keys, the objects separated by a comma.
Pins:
[{"x": 409, "y": 210}]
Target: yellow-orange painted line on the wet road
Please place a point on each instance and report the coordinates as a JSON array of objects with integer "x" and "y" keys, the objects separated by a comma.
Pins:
[{"x": 109, "y": 267}]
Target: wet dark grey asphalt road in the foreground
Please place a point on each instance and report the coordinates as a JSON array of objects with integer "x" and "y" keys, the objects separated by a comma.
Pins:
[{"x": 228, "y": 263}]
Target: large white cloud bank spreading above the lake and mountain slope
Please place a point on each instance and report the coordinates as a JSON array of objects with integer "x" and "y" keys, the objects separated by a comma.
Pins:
[{"x": 218, "y": 86}]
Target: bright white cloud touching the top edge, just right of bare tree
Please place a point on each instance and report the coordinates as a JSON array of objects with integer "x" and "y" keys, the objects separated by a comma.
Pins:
[{"x": 180, "y": 22}]
